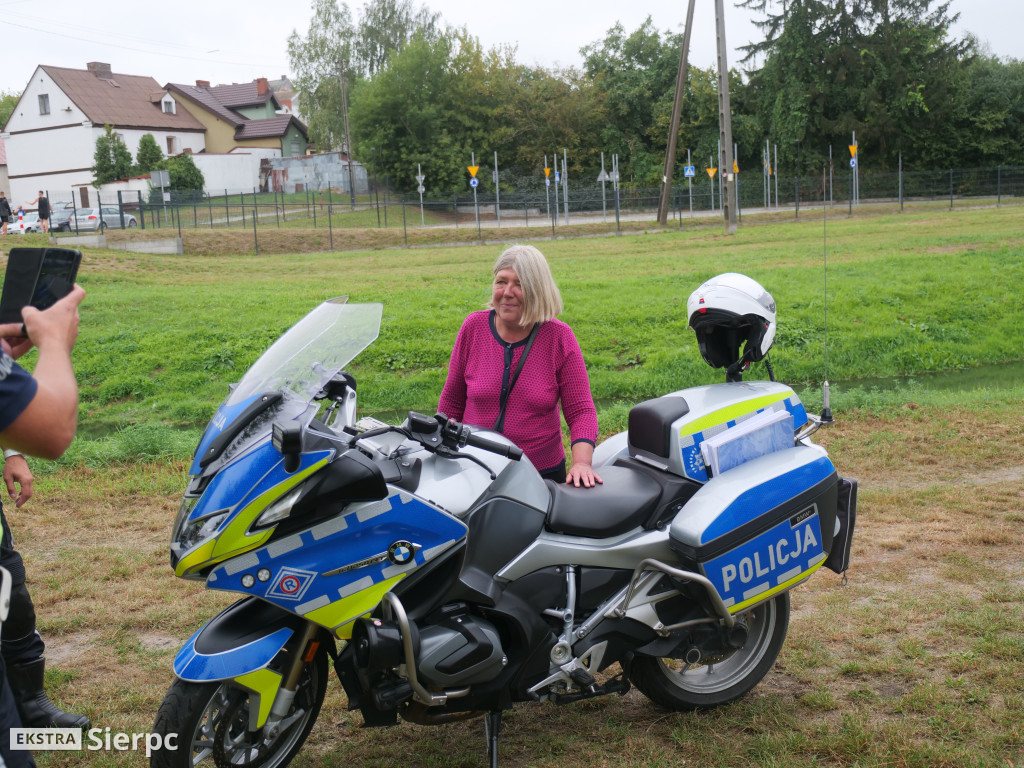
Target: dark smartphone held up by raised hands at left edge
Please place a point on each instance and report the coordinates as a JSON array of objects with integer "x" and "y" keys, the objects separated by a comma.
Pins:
[{"x": 37, "y": 277}]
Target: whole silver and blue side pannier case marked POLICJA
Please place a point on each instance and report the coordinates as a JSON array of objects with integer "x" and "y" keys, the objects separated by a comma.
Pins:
[{"x": 762, "y": 528}]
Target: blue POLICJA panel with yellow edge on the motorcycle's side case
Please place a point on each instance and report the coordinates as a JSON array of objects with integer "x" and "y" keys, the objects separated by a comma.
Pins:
[{"x": 770, "y": 564}]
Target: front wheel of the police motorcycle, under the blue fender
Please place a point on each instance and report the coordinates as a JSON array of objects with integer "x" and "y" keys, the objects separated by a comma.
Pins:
[{"x": 212, "y": 723}]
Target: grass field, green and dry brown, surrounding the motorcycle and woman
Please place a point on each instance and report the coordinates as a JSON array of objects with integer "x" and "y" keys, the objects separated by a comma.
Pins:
[{"x": 915, "y": 663}]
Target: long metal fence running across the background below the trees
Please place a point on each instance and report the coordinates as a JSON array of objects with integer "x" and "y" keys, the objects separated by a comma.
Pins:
[{"x": 557, "y": 205}]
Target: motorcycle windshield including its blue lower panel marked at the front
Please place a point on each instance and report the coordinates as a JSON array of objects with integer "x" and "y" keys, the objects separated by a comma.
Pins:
[{"x": 296, "y": 367}]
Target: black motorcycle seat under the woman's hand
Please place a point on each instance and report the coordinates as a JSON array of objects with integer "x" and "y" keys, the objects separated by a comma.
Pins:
[{"x": 622, "y": 503}]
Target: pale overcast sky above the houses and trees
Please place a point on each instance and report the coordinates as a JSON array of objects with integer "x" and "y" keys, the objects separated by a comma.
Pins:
[{"x": 190, "y": 40}]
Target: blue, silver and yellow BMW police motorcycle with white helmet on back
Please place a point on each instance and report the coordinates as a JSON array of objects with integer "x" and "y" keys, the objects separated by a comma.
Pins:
[{"x": 431, "y": 566}]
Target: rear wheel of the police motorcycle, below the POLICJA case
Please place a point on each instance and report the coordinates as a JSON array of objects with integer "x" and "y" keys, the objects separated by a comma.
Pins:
[{"x": 718, "y": 678}]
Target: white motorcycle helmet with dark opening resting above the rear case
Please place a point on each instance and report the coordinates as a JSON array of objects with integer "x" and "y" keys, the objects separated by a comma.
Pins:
[{"x": 729, "y": 311}]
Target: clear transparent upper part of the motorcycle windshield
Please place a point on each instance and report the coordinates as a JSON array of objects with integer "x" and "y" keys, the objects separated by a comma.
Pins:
[{"x": 316, "y": 349}]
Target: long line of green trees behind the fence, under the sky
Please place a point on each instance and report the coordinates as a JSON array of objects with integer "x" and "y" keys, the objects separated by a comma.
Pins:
[{"x": 420, "y": 95}]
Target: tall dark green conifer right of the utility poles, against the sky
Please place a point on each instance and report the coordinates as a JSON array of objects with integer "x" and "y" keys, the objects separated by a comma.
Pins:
[{"x": 885, "y": 70}]
